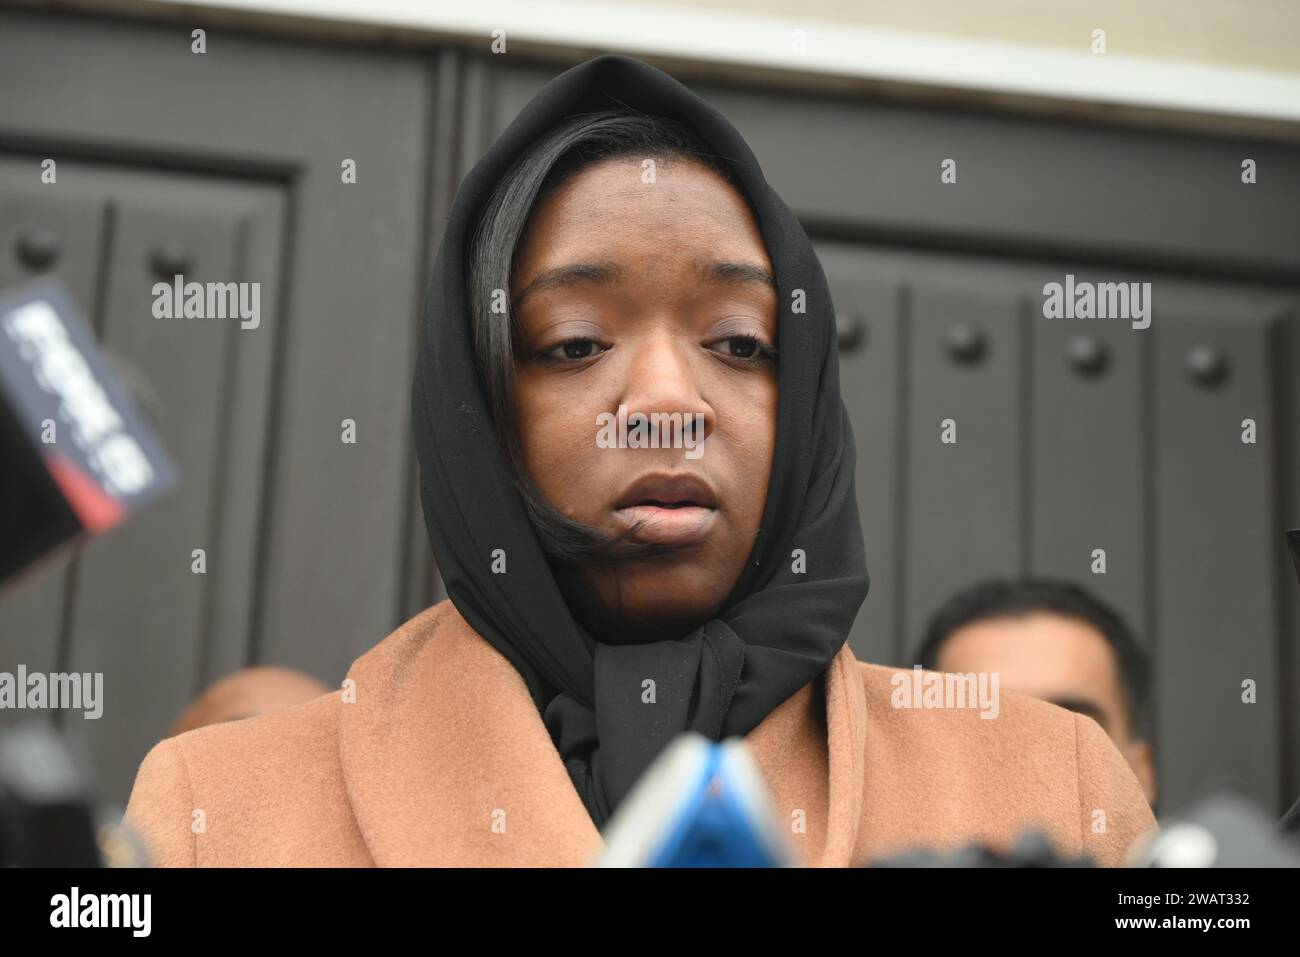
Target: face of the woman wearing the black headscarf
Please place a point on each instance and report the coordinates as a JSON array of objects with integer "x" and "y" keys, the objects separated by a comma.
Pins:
[{"x": 657, "y": 297}]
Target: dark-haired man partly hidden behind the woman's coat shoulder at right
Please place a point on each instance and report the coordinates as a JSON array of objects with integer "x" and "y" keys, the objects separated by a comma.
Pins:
[{"x": 1059, "y": 643}]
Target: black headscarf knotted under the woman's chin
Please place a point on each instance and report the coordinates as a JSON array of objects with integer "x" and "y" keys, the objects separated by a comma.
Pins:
[{"x": 783, "y": 622}]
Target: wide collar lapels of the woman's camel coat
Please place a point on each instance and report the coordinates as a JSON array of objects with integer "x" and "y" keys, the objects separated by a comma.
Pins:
[{"x": 448, "y": 763}]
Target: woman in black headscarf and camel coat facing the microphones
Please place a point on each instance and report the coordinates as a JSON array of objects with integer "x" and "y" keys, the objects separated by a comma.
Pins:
[{"x": 618, "y": 261}]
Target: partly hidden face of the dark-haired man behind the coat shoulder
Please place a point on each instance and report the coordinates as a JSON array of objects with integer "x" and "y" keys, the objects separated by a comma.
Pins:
[{"x": 1060, "y": 660}]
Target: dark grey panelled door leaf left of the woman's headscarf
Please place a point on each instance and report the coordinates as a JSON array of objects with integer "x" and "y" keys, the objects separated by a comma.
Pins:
[{"x": 227, "y": 164}]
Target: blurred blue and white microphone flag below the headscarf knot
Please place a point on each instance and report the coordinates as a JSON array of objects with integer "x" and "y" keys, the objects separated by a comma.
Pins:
[{"x": 701, "y": 804}]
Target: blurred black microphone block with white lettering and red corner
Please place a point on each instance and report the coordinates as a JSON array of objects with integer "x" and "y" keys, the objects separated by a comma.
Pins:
[{"x": 77, "y": 456}]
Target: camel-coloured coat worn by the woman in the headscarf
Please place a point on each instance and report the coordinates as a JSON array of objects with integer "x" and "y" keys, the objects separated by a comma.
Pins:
[{"x": 444, "y": 760}]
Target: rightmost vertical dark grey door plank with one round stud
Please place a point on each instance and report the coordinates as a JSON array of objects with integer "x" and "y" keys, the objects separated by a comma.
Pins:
[{"x": 1217, "y": 536}]
